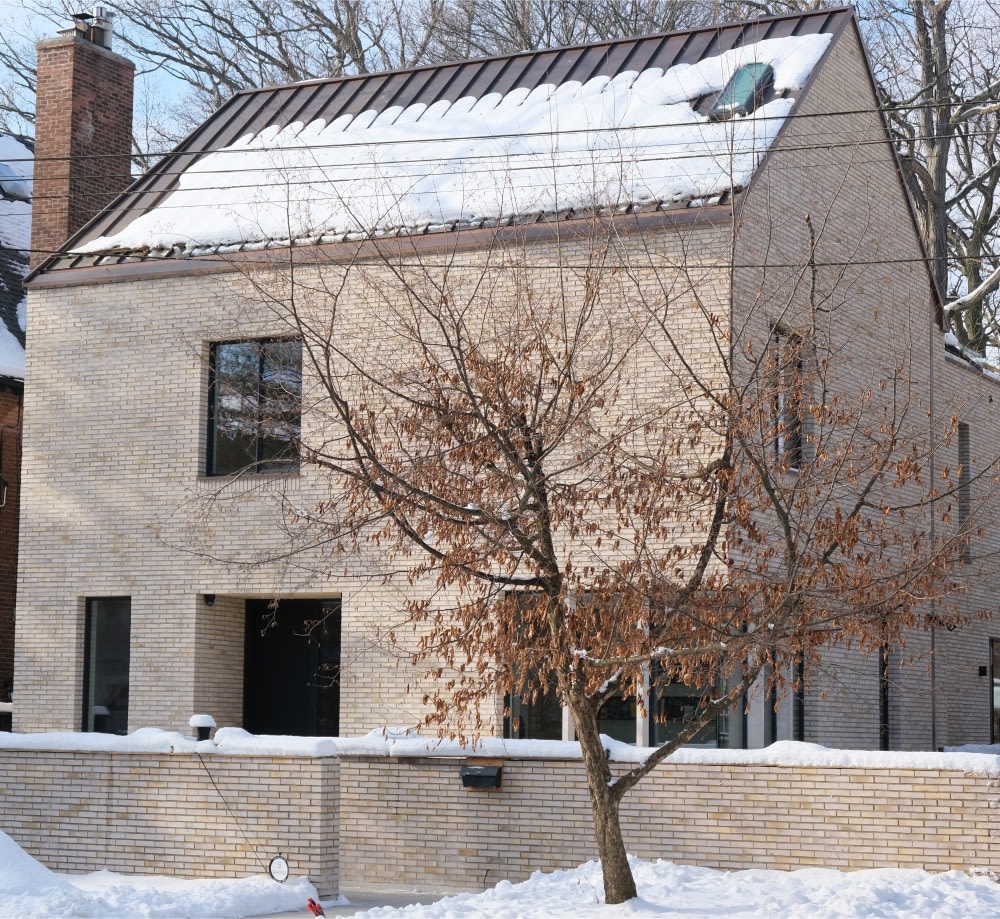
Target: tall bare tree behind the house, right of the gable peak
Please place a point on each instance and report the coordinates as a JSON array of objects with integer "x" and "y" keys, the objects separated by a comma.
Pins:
[{"x": 938, "y": 63}]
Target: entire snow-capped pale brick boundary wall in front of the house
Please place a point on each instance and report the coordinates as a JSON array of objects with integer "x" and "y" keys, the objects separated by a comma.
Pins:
[{"x": 367, "y": 814}]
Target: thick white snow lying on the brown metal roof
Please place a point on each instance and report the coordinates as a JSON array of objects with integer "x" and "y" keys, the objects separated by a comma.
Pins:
[{"x": 612, "y": 142}]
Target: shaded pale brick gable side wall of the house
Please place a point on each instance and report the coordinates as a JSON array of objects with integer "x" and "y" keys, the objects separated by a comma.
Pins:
[{"x": 872, "y": 317}]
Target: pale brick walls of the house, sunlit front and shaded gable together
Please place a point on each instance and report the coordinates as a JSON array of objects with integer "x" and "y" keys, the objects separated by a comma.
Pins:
[{"x": 118, "y": 503}]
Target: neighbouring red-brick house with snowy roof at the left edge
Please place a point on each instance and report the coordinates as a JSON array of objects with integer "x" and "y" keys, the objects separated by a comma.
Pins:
[{"x": 15, "y": 227}]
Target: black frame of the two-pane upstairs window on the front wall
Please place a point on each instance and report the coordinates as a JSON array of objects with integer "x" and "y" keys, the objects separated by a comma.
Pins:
[{"x": 261, "y": 464}]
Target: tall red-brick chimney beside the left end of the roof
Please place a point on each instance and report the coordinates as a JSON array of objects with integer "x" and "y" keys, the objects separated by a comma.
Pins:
[{"x": 83, "y": 130}]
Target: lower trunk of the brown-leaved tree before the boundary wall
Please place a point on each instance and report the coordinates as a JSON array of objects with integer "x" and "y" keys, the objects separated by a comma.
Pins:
[{"x": 619, "y": 885}]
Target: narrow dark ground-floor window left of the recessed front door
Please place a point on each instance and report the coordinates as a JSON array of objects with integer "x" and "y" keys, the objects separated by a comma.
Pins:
[{"x": 106, "y": 663}]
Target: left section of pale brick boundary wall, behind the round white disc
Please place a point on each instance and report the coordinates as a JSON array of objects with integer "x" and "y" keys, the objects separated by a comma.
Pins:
[{"x": 160, "y": 813}]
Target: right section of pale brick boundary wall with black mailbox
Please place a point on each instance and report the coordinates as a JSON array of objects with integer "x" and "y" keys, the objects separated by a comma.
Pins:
[{"x": 410, "y": 821}]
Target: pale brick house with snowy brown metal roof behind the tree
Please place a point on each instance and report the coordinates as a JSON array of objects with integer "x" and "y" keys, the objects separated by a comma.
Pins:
[{"x": 152, "y": 542}]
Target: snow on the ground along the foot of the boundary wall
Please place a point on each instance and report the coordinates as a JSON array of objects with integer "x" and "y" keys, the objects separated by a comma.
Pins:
[{"x": 27, "y": 889}]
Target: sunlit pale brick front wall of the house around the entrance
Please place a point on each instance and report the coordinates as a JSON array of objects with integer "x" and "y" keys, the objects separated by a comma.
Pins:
[{"x": 118, "y": 505}]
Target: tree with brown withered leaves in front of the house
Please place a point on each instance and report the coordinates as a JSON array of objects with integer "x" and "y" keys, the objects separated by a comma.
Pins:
[{"x": 596, "y": 477}]
